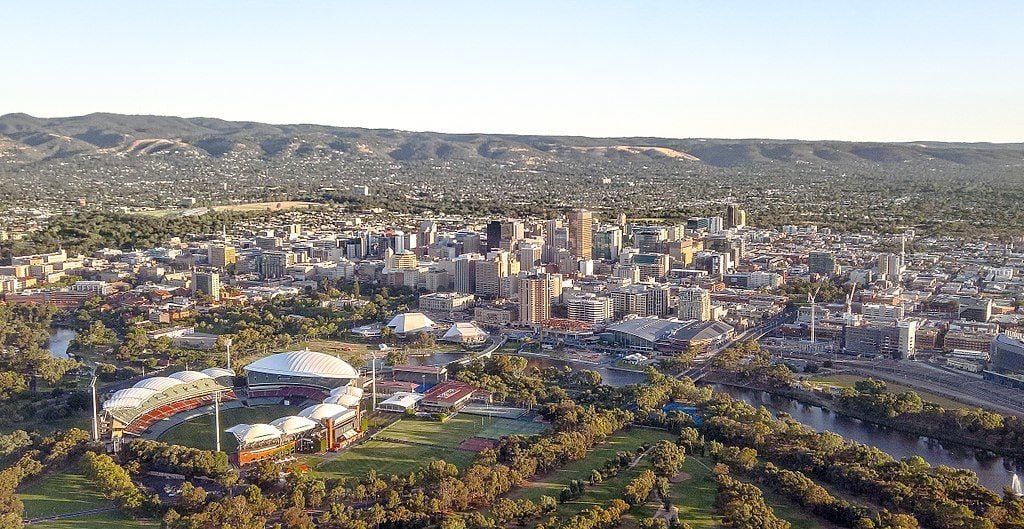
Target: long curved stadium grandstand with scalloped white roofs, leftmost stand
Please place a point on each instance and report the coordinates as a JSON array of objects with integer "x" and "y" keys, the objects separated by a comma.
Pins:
[{"x": 133, "y": 411}]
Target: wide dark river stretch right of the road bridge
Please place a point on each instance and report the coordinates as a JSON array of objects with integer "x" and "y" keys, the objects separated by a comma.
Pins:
[{"x": 994, "y": 473}]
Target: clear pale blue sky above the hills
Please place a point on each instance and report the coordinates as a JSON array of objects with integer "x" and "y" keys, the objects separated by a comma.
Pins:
[{"x": 895, "y": 71}]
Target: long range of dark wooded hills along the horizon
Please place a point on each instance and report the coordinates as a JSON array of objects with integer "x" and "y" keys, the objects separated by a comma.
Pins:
[{"x": 26, "y": 140}]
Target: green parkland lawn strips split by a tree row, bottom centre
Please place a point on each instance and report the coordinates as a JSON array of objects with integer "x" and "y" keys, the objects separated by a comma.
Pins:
[{"x": 553, "y": 483}]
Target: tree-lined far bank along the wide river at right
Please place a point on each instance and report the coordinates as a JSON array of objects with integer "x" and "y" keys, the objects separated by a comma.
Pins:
[{"x": 826, "y": 402}]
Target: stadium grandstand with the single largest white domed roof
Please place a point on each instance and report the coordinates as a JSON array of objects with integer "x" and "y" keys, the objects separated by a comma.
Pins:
[{"x": 298, "y": 374}]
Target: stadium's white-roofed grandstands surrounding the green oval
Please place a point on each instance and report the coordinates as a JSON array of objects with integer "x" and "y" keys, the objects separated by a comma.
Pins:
[{"x": 327, "y": 386}]
